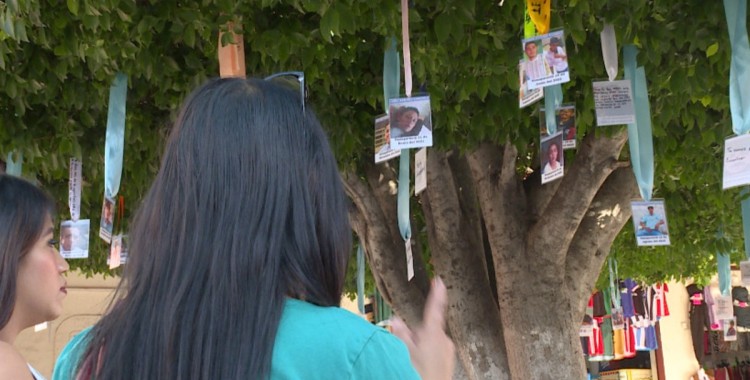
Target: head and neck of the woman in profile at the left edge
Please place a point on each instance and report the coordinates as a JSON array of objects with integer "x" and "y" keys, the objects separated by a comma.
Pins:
[{"x": 32, "y": 285}]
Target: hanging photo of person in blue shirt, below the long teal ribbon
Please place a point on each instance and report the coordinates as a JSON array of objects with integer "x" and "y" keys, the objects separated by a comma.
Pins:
[{"x": 650, "y": 222}]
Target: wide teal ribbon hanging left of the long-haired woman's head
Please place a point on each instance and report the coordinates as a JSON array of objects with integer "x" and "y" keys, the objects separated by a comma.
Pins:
[{"x": 114, "y": 145}]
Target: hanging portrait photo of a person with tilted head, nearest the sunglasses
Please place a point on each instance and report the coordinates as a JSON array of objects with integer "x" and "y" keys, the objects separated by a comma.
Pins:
[{"x": 410, "y": 122}]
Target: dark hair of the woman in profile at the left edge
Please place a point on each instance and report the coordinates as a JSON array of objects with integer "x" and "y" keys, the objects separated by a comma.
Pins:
[{"x": 23, "y": 211}]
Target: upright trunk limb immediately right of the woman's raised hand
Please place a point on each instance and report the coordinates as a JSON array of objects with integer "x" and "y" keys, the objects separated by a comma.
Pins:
[{"x": 455, "y": 234}]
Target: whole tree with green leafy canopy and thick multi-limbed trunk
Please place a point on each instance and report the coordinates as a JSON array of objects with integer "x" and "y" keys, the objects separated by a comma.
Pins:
[{"x": 506, "y": 246}]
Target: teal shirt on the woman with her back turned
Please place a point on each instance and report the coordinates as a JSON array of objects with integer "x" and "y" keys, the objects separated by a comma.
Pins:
[{"x": 312, "y": 342}]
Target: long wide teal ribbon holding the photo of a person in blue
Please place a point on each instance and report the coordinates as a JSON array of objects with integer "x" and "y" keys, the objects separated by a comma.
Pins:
[{"x": 639, "y": 134}]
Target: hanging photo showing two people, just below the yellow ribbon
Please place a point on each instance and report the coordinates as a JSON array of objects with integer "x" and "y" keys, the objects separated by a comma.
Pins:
[{"x": 545, "y": 60}]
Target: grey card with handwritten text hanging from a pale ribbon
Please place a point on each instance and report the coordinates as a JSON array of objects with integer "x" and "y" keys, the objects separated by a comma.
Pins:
[{"x": 613, "y": 102}]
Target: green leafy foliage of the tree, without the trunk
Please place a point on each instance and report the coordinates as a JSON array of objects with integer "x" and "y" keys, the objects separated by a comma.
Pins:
[{"x": 57, "y": 61}]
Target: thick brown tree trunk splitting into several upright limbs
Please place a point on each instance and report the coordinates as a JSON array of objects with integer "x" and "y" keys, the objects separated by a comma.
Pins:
[{"x": 541, "y": 247}]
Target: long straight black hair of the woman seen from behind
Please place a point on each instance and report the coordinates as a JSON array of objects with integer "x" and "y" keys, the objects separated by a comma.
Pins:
[{"x": 247, "y": 209}]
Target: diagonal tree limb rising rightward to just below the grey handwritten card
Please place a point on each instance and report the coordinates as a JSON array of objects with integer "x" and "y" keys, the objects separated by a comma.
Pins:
[{"x": 596, "y": 159}]
